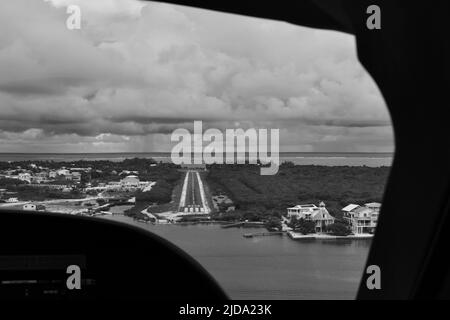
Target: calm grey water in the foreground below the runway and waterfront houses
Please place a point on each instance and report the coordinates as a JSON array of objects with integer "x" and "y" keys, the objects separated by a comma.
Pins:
[{"x": 274, "y": 267}]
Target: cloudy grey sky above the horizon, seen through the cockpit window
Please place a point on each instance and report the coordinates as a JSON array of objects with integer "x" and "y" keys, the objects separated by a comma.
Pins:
[{"x": 138, "y": 70}]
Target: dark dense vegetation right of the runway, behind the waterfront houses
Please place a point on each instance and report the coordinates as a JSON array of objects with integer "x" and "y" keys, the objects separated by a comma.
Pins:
[{"x": 260, "y": 197}]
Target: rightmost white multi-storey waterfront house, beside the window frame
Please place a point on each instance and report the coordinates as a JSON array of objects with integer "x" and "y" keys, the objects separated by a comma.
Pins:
[{"x": 363, "y": 219}]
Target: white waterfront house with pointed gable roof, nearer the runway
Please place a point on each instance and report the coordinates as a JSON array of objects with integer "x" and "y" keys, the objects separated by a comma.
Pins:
[{"x": 319, "y": 215}]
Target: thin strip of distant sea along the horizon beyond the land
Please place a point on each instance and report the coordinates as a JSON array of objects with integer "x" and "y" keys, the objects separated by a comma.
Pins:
[{"x": 299, "y": 158}]
